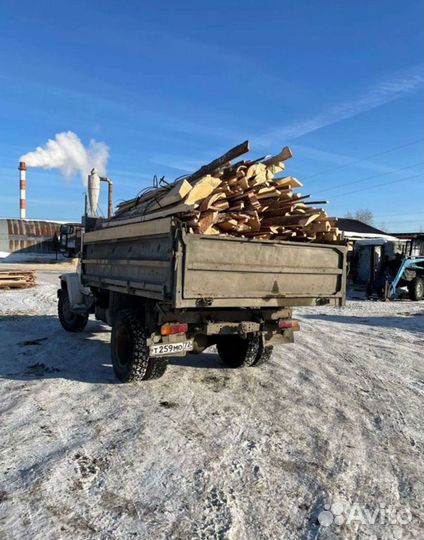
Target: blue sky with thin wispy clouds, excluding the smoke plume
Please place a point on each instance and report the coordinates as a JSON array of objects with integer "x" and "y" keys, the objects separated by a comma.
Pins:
[{"x": 171, "y": 85}]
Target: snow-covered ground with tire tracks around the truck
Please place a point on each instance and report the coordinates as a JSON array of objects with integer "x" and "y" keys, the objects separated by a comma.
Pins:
[{"x": 208, "y": 452}]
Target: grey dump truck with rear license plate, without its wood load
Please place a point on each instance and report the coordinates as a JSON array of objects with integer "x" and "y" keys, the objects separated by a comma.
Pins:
[{"x": 168, "y": 292}]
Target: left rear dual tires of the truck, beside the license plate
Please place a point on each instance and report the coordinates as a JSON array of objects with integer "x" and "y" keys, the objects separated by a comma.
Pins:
[{"x": 130, "y": 353}]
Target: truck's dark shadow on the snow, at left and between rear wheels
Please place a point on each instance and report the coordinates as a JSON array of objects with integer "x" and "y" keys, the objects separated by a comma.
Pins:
[{"x": 37, "y": 347}]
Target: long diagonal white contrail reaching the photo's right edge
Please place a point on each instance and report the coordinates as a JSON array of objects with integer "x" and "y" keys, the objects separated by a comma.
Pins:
[{"x": 401, "y": 84}]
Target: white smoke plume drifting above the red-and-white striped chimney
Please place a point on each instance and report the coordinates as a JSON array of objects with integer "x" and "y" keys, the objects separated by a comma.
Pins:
[{"x": 67, "y": 153}]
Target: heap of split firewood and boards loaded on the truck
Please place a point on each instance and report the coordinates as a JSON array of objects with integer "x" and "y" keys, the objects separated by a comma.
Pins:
[{"x": 249, "y": 198}]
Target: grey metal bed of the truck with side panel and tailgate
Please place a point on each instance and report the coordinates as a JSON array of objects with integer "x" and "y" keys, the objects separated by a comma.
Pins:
[{"x": 158, "y": 259}]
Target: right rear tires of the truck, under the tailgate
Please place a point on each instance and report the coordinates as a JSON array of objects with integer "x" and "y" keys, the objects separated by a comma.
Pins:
[{"x": 238, "y": 352}]
